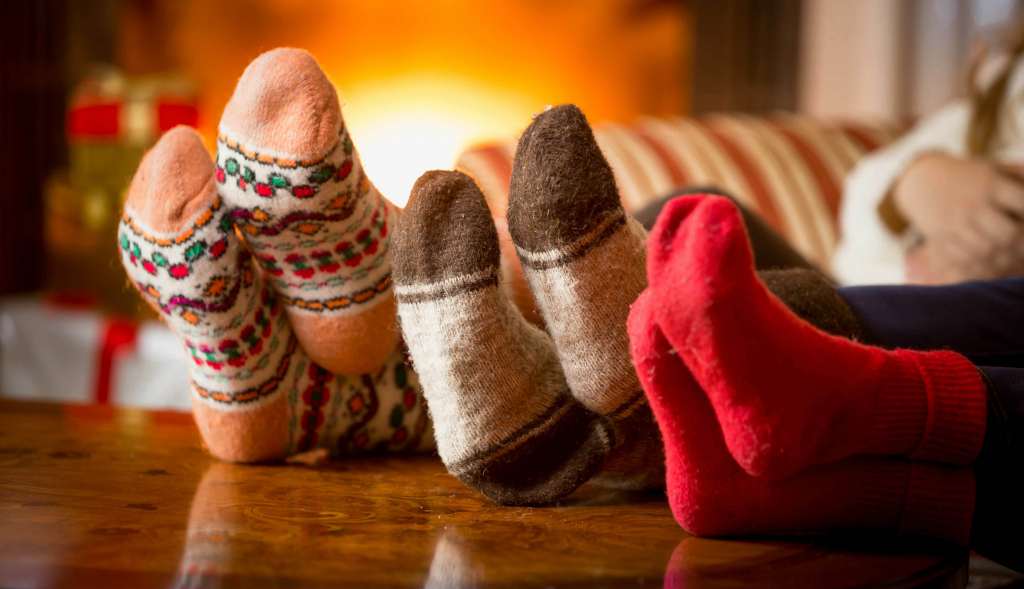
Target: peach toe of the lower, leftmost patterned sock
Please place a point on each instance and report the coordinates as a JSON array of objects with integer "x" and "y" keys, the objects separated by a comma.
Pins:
[{"x": 175, "y": 182}]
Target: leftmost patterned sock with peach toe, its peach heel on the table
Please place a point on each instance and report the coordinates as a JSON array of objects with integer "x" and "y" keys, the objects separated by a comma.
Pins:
[{"x": 257, "y": 395}]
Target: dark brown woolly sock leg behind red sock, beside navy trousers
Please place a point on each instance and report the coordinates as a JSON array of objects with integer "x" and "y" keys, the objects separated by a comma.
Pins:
[{"x": 814, "y": 299}]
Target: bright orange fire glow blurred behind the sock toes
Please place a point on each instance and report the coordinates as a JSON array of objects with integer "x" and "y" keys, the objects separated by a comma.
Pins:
[{"x": 422, "y": 81}]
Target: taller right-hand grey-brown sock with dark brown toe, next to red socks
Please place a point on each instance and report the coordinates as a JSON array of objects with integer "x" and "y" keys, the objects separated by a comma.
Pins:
[{"x": 584, "y": 260}]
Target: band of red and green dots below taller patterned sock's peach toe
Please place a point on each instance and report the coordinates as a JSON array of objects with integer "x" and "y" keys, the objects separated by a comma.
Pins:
[{"x": 268, "y": 188}]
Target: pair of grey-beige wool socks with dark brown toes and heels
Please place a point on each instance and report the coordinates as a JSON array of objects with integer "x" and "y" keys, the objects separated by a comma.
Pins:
[{"x": 523, "y": 415}]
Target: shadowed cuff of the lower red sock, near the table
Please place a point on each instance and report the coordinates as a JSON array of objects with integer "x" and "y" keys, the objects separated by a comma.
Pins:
[{"x": 940, "y": 503}]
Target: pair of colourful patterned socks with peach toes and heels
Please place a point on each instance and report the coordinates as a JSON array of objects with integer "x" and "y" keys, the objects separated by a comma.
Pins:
[{"x": 301, "y": 352}]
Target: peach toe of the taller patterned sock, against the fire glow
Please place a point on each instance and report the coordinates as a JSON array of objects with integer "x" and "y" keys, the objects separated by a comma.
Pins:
[{"x": 284, "y": 104}]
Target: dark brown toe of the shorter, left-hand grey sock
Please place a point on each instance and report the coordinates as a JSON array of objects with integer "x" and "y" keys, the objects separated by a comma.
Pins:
[{"x": 446, "y": 231}]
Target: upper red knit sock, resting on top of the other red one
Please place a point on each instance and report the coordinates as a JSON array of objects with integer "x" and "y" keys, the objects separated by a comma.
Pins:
[{"x": 787, "y": 395}]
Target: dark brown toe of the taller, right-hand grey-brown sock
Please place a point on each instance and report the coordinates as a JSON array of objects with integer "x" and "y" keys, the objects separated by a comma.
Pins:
[{"x": 563, "y": 188}]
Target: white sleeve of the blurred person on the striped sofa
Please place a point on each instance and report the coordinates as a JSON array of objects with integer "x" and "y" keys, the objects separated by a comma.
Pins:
[{"x": 869, "y": 253}]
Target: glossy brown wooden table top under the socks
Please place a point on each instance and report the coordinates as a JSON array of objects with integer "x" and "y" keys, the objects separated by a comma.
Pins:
[{"x": 97, "y": 497}]
